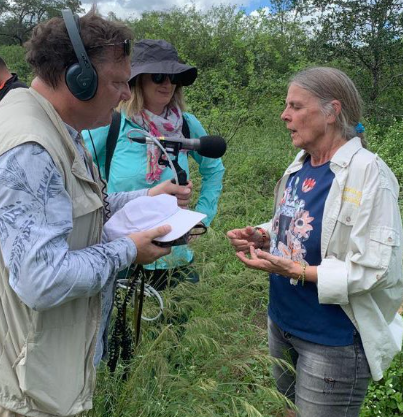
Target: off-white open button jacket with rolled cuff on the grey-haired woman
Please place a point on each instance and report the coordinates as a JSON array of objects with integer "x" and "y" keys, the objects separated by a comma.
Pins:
[{"x": 361, "y": 268}]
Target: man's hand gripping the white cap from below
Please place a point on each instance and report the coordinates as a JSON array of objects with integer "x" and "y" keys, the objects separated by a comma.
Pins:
[{"x": 147, "y": 251}]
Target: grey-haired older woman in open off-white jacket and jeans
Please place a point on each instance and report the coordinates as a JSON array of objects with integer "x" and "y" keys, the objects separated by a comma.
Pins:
[{"x": 333, "y": 251}]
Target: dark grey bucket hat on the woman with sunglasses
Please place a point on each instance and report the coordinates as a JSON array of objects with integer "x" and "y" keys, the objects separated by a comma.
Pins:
[{"x": 152, "y": 56}]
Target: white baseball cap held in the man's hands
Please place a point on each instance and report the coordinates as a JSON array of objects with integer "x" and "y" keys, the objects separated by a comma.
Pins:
[{"x": 145, "y": 213}]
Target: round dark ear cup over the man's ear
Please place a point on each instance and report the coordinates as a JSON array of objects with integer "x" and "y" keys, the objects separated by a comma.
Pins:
[{"x": 83, "y": 85}]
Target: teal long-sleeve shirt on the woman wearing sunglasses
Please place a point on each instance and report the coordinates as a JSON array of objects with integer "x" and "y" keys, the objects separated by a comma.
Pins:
[{"x": 128, "y": 173}]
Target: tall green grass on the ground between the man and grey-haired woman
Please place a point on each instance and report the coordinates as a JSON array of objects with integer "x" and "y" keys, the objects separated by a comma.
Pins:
[{"x": 207, "y": 356}]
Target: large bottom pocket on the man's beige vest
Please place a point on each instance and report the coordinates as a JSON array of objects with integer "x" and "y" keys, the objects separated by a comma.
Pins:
[{"x": 49, "y": 369}]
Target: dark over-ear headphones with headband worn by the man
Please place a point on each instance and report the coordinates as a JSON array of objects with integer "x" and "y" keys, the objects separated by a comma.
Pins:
[{"x": 81, "y": 78}]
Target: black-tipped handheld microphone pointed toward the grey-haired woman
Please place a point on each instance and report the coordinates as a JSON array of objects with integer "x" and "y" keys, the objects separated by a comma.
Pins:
[{"x": 209, "y": 146}]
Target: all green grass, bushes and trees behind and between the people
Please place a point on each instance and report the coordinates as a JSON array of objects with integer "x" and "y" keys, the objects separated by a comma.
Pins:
[{"x": 208, "y": 355}]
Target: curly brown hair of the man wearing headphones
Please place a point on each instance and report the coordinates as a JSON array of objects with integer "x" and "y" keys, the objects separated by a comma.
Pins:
[{"x": 50, "y": 51}]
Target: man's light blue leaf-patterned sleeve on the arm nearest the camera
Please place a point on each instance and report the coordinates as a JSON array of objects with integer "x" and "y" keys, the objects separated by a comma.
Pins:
[{"x": 35, "y": 221}]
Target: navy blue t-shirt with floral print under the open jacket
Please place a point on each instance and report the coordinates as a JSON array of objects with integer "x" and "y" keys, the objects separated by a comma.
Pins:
[{"x": 296, "y": 235}]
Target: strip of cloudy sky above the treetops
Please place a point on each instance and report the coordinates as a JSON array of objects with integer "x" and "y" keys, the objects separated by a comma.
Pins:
[{"x": 134, "y": 8}]
